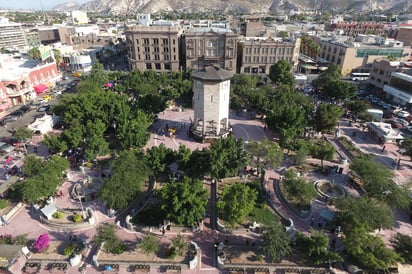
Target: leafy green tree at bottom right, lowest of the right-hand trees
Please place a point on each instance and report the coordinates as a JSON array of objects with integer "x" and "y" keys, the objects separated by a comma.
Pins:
[{"x": 368, "y": 250}]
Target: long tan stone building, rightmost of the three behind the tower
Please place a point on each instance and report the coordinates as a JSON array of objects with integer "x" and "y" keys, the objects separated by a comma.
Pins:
[{"x": 258, "y": 54}]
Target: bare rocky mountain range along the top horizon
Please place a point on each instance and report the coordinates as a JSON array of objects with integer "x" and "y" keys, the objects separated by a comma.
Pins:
[{"x": 244, "y": 6}]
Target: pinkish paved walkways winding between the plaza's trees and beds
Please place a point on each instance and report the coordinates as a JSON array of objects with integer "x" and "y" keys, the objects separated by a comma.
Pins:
[{"x": 245, "y": 128}]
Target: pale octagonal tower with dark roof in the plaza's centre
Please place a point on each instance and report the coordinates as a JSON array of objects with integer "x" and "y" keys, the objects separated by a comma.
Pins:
[{"x": 211, "y": 94}]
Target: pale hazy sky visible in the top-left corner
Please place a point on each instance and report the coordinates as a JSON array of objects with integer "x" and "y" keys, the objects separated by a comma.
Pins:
[{"x": 34, "y": 4}]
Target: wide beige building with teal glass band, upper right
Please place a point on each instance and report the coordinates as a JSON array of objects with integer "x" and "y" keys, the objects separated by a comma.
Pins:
[{"x": 354, "y": 56}]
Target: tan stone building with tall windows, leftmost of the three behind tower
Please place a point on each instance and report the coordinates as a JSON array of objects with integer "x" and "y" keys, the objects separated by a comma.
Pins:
[{"x": 153, "y": 48}]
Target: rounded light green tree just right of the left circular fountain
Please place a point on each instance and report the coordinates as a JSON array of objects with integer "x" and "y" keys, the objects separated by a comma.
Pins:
[{"x": 126, "y": 182}]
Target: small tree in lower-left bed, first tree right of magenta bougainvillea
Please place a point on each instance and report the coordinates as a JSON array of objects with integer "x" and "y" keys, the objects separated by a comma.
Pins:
[{"x": 106, "y": 233}]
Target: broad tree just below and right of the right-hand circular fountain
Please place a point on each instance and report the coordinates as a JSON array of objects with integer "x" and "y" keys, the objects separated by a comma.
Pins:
[{"x": 352, "y": 210}]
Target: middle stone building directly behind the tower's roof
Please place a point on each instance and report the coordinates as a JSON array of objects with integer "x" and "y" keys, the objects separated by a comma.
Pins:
[{"x": 202, "y": 47}]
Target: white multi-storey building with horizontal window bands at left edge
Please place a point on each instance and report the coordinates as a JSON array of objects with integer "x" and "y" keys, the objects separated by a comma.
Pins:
[{"x": 12, "y": 36}]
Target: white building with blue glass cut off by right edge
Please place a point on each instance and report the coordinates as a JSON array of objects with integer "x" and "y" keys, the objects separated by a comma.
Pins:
[{"x": 399, "y": 89}]
